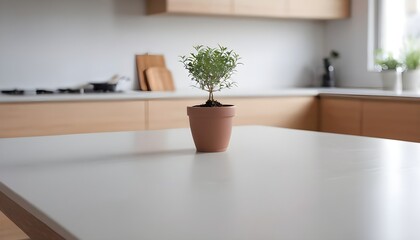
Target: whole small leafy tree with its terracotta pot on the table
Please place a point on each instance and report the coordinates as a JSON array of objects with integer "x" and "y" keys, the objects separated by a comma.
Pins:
[{"x": 211, "y": 70}]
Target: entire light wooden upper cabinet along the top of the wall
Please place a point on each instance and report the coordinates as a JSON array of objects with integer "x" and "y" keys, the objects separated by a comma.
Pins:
[{"x": 310, "y": 9}]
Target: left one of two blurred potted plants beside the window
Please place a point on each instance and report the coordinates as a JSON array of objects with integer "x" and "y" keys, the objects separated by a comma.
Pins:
[{"x": 389, "y": 68}]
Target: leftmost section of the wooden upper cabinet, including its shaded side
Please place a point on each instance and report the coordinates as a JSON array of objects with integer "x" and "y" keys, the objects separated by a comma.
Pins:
[{"x": 223, "y": 7}]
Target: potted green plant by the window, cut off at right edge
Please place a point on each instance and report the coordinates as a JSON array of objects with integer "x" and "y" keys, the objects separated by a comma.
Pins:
[{"x": 411, "y": 74}]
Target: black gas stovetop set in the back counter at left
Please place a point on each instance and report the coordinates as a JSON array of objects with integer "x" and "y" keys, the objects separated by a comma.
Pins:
[{"x": 58, "y": 91}]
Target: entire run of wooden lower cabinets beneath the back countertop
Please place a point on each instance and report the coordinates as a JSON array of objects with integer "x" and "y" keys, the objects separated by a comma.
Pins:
[{"x": 356, "y": 115}]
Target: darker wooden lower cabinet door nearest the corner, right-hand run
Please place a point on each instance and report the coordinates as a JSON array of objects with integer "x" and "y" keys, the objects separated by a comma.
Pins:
[{"x": 341, "y": 115}]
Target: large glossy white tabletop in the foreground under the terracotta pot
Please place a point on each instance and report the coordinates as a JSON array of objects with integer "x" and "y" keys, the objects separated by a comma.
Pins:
[{"x": 272, "y": 183}]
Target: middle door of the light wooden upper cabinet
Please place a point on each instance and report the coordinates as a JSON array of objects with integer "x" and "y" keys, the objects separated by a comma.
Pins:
[{"x": 263, "y": 8}]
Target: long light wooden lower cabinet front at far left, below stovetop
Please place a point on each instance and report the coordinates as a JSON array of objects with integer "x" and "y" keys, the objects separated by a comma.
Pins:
[{"x": 52, "y": 118}]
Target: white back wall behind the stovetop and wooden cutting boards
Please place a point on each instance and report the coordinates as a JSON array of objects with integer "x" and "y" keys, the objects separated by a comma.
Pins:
[{"x": 60, "y": 43}]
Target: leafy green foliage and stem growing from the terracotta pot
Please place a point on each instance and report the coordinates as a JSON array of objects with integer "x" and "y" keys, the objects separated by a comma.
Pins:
[{"x": 211, "y": 70}]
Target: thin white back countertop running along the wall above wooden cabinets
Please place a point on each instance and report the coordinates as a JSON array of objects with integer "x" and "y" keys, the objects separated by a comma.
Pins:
[{"x": 196, "y": 93}]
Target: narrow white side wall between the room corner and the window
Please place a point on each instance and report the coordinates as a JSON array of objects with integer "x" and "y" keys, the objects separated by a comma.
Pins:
[{"x": 350, "y": 38}]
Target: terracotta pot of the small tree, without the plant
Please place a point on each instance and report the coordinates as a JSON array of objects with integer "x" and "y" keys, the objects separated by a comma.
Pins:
[{"x": 211, "y": 127}]
